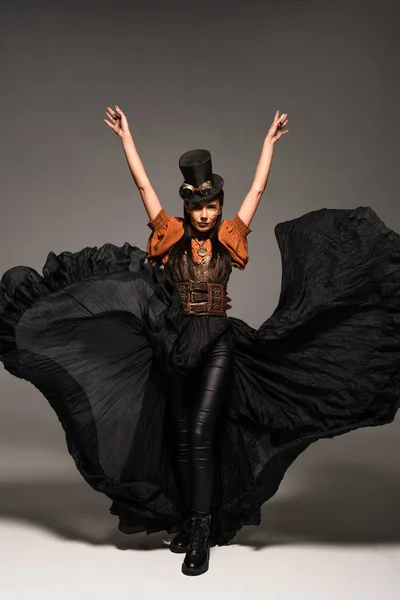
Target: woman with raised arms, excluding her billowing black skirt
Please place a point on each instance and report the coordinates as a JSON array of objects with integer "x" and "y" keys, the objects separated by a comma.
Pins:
[{"x": 203, "y": 236}]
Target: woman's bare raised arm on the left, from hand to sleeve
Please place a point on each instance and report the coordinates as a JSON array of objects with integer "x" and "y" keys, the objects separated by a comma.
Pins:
[{"x": 118, "y": 122}]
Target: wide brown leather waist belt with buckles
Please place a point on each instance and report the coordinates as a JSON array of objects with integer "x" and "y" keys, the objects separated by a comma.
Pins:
[{"x": 204, "y": 298}]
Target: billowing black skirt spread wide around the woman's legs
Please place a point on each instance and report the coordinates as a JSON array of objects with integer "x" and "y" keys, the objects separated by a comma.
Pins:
[{"x": 101, "y": 332}]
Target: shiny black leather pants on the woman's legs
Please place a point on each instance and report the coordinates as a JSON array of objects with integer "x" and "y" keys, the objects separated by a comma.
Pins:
[{"x": 196, "y": 403}]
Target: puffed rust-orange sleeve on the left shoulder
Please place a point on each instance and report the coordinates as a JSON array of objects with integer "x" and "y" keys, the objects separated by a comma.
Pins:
[{"x": 166, "y": 231}]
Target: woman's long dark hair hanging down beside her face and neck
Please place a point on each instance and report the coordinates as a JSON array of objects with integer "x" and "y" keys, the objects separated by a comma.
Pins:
[{"x": 184, "y": 244}]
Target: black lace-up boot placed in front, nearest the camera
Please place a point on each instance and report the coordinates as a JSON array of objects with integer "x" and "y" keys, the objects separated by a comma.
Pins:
[{"x": 198, "y": 553}]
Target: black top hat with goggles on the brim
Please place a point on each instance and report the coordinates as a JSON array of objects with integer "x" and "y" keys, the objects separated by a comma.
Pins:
[{"x": 196, "y": 169}]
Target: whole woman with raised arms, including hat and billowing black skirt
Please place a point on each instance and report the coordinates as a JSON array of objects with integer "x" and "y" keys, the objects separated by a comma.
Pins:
[{"x": 186, "y": 418}]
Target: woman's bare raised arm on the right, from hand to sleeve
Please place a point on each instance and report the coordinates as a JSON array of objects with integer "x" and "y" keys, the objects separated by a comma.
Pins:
[{"x": 250, "y": 203}]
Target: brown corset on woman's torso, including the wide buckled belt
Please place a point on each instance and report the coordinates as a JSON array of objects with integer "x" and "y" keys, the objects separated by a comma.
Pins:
[{"x": 206, "y": 294}]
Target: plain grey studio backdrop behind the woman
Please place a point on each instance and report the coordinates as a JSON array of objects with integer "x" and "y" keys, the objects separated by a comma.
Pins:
[{"x": 195, "y": 74}]
